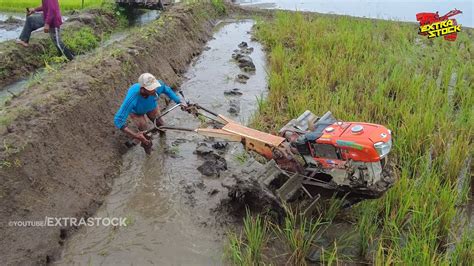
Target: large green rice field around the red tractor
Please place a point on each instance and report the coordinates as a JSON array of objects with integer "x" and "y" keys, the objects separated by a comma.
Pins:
[{"x": 381, "y": 72}]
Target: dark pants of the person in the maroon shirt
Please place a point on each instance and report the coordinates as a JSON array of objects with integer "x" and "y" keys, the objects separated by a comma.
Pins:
[{"x": 36, "y": 21}]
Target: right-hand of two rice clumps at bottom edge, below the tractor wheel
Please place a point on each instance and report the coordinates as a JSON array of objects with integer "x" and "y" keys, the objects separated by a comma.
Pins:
[{"x": 298, "y": 233}]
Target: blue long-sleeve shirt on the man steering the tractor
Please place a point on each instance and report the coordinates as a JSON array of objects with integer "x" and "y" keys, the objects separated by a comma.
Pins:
[{"x": 135, "y": 103}]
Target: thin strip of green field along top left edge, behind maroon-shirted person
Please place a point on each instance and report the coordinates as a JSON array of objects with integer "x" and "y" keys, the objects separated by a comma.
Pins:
[{"x": 20, "y": 5}]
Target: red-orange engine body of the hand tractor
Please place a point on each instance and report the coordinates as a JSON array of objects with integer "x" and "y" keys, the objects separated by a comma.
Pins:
[{"x": 350, "y": 155}]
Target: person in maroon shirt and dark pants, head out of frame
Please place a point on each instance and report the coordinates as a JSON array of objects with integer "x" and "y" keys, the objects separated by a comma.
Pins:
[{"x": 51, "y": 20}]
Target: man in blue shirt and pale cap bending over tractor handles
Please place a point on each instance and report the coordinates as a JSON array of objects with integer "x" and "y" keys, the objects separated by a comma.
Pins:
[{"x": 141, "y": 102}]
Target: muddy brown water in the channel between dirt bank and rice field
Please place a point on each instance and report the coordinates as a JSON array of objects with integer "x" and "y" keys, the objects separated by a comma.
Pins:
[{"x": 167, "y": 201}]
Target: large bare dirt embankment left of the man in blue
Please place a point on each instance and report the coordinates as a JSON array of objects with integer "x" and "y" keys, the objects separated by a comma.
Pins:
[{"x": 60, "y": 149}]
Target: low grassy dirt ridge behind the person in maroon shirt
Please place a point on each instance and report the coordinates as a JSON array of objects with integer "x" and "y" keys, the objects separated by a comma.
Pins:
[{"x": 17, "y": 61}]
